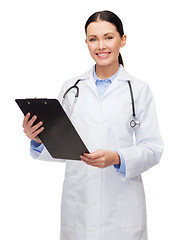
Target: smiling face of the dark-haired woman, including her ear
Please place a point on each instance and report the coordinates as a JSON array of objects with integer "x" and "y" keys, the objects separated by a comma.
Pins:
[{"x": 104, "y": 42}]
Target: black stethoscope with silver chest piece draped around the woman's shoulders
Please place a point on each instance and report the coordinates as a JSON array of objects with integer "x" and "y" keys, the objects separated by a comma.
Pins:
[{"x": 134, "y": 123}]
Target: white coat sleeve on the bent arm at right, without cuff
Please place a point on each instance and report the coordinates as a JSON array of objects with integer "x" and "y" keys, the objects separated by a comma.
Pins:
[{"x": 148, "y": 146}]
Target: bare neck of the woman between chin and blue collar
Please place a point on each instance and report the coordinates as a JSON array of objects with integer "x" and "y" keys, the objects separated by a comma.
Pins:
[{"x": 105, "y": 72}]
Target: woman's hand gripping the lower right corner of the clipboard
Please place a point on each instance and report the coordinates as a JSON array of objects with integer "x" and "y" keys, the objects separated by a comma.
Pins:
[{"x": 101, "y": 158}]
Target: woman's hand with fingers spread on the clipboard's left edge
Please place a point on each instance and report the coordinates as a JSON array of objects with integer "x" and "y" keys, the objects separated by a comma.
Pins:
[{"x": 30, "y": 130}]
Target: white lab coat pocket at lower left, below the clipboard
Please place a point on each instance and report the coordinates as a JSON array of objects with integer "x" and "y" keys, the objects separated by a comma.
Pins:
[{"x": 68, "y": 205}]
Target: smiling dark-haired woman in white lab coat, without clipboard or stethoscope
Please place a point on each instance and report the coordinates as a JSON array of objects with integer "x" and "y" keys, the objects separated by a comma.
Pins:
[{"x": 103, "y": 195}]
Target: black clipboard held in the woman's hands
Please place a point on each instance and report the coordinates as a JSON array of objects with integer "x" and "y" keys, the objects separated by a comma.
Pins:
[{"x": 59, "y": 135}]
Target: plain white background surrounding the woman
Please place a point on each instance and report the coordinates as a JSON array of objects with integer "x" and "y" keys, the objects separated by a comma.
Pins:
[{"x": 41, "y": 45}]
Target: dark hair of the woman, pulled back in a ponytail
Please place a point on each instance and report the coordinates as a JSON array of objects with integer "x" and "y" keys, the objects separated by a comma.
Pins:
[{"x": 109, "y": 17}]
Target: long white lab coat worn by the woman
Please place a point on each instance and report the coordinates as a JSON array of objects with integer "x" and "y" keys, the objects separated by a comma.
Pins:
[{"x": 103, "y": 204}]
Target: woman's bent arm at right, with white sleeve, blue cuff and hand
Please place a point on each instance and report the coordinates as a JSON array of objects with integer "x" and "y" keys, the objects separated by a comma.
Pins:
[{"x": 147, "y": 150}]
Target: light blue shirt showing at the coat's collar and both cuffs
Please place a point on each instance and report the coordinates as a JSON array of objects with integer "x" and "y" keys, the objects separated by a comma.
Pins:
[{"x": 102, "y": 86}]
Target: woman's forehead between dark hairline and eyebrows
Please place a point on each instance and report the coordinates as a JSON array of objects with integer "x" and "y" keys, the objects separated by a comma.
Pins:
[{"x": 100, "y": 28}]
